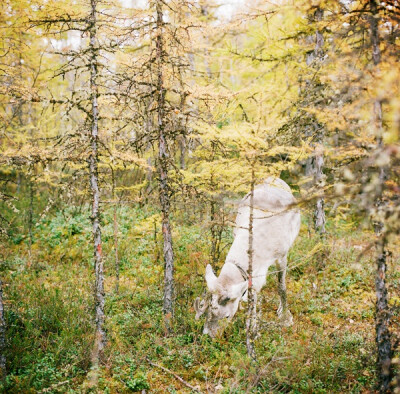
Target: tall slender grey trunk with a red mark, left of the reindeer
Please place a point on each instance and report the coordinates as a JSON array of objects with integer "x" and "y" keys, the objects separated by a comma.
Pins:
[{"x": 100, "y": 338}]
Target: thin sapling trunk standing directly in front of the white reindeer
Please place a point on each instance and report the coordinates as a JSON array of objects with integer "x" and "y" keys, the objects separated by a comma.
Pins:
[{"x": 251, "y": 323}]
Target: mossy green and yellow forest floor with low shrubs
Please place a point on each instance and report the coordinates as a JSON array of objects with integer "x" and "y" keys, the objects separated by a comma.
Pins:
[{"x": 49, "y": 309}]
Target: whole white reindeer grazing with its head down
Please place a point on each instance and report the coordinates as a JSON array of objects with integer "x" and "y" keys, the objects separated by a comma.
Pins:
[{"x": 276, "y": 224}]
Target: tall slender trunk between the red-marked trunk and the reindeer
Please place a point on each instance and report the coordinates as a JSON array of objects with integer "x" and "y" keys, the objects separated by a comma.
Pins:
[{"x": 164, "y": 187}]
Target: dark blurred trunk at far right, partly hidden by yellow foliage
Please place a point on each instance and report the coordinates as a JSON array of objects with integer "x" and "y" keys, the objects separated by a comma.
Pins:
[{"x": 382, "y": 318}]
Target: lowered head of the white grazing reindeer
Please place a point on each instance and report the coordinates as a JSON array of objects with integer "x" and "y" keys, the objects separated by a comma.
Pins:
[{"x": 220, "y": 302}]
